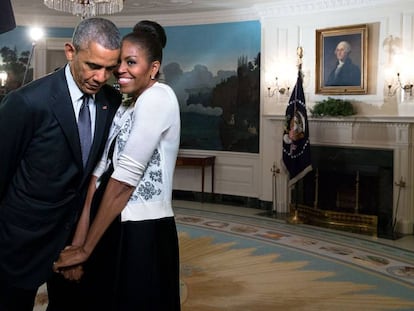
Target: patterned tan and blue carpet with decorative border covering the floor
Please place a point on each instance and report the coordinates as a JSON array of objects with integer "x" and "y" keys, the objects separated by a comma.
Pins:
[{"x": 242, "y": 263}]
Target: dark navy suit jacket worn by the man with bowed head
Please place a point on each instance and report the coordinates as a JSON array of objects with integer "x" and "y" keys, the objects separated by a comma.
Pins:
[{"x": 42, "y": 180}]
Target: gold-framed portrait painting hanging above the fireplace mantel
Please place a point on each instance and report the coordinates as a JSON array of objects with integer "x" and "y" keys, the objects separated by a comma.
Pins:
[{"x": 341, "y": 60}]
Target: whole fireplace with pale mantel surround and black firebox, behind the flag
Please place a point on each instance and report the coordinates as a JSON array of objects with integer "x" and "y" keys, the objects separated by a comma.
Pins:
[{"x": 375, "y": 150}]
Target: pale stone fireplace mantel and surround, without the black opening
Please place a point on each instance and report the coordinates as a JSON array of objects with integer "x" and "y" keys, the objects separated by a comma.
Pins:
[{"x": 377, "y": 132}]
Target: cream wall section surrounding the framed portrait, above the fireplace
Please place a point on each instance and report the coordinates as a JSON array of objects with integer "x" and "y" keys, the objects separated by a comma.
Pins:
[{"x": 285, "y": 27}]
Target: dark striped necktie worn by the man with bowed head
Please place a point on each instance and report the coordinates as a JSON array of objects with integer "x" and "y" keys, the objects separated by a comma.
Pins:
[{"x": 84, "y": 126}]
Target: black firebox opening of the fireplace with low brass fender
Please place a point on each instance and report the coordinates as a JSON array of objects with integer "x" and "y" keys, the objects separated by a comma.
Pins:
[{"x": 352, "y": 187}]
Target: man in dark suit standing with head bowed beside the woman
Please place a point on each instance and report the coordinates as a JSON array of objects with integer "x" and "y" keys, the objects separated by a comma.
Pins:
[{"x": 43, "y": 179}]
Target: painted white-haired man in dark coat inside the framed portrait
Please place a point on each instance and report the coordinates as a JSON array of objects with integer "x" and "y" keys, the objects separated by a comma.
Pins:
[{"x": 345, "y": 73}]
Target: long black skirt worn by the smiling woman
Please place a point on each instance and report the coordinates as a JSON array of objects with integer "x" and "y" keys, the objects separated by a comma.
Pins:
[{"x": 149, "y": 266}]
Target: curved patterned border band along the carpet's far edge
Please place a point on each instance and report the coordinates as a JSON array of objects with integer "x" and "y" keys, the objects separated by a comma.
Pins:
[{"x": 376, "y": 257}]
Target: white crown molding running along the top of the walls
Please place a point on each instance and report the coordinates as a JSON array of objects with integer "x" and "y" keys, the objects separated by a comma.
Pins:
[{"x": 281, "y": 8}]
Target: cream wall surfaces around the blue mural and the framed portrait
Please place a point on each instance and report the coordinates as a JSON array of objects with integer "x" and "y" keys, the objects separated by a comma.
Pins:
[{"x": 285, "y": 25}]
